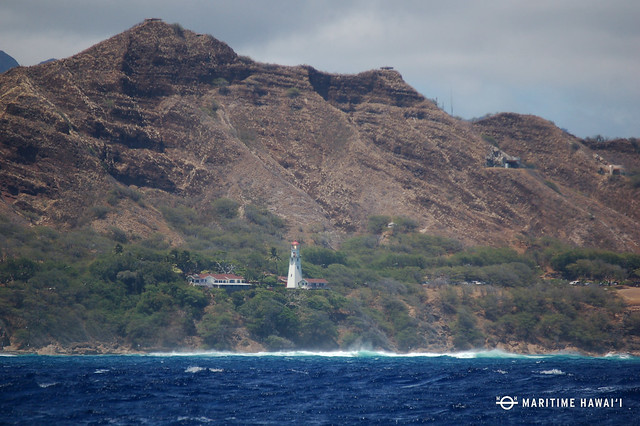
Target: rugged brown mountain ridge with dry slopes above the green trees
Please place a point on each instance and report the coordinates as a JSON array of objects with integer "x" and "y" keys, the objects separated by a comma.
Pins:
[{"x": 179, "y": 117}]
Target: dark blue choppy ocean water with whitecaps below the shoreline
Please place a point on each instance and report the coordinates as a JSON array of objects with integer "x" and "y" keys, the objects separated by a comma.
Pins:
[{"x": 302, "y": 388}]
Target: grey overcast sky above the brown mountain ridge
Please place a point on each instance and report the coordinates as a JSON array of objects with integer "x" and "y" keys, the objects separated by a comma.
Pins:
[{"x": 574, "y": 62}]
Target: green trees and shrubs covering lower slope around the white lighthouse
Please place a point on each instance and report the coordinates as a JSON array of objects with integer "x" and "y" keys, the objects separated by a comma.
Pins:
[{"x": 390, "y": 288}]
